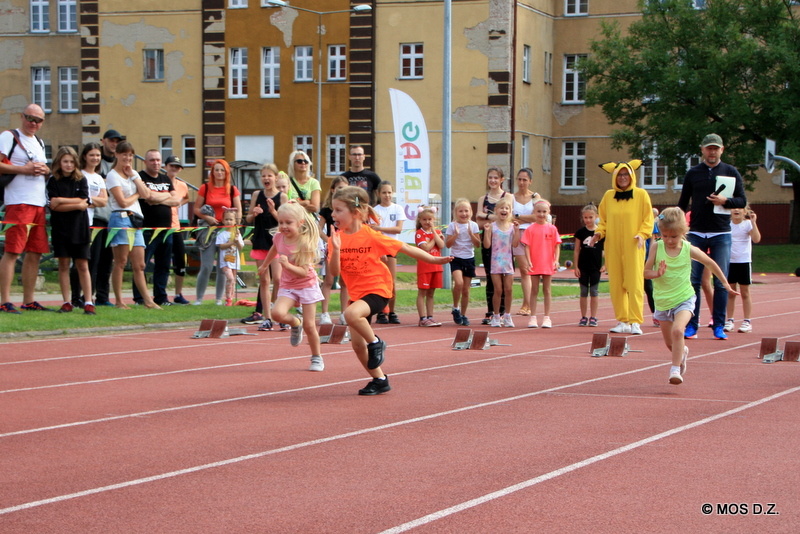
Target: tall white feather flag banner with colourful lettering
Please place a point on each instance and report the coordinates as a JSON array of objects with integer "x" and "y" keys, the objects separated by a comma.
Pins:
[{"x": 413, "y": 159}]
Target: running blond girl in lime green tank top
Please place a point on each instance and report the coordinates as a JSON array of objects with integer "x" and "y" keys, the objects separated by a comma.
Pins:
[{"x": 669, "y": 265}]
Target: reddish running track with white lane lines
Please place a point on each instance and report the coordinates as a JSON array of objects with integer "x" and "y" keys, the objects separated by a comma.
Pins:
[{"x": 156, "y": 432}]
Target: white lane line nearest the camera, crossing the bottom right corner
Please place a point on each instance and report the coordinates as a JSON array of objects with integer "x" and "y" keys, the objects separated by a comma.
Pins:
[{"x": 435, "y": 516}]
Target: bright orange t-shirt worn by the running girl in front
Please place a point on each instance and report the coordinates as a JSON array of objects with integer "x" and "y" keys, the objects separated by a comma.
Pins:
[{"x": 360, "y": 259}]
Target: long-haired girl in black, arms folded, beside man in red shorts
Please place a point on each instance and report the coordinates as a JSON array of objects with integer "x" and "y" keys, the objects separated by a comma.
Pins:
[{"x": 68, "y": 191}]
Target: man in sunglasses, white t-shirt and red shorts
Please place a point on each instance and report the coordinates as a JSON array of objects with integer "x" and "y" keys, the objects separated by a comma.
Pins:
[{"x": 25, "y": 201}]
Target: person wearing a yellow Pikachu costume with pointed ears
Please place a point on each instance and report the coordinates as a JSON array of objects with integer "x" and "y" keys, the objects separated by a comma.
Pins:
[{"x": 626, "y": 223}]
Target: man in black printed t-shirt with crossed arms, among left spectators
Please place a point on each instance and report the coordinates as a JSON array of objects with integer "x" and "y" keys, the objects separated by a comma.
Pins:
[{"x": 156, "y": 198}]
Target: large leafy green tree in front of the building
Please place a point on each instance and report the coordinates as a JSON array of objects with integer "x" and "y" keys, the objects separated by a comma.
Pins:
[{"x": 680, "y": 73}]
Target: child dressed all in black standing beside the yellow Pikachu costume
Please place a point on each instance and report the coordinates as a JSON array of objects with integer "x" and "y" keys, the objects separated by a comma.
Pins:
[{"x": 588, "y": 262}]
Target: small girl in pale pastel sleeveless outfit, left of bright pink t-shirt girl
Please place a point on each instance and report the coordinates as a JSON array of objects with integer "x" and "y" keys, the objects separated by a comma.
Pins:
[{"x": 502, "y": 236}]
